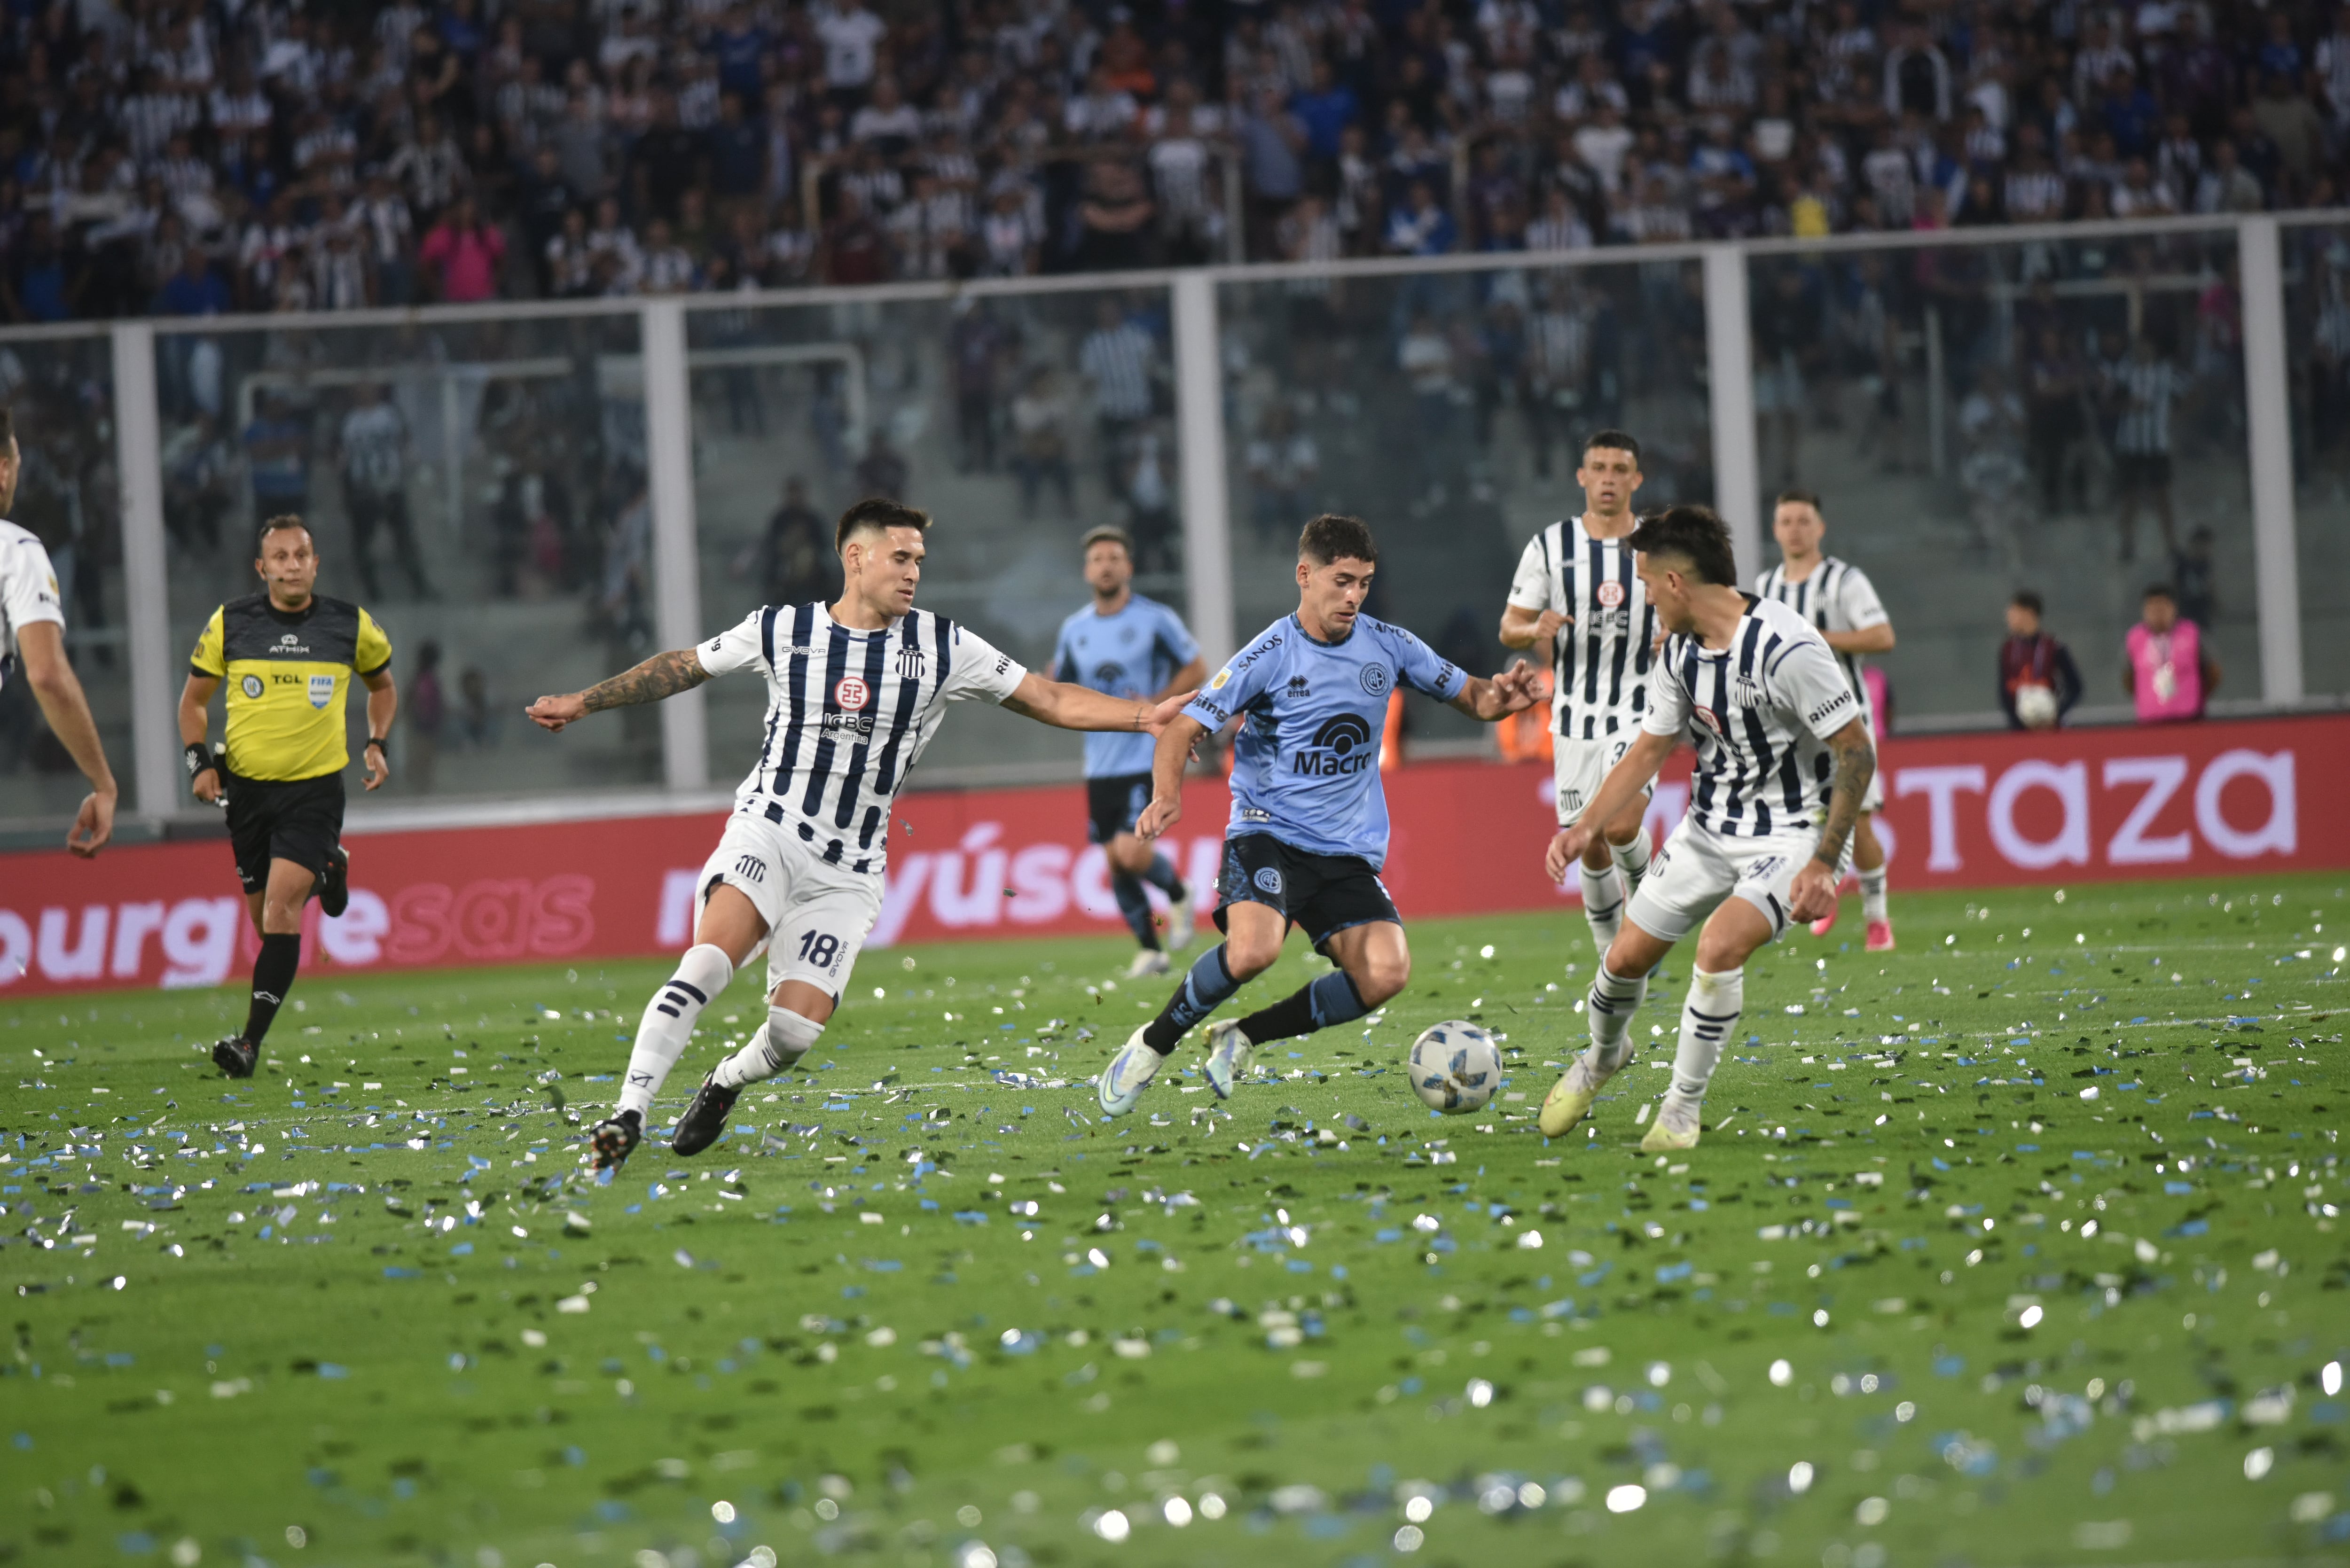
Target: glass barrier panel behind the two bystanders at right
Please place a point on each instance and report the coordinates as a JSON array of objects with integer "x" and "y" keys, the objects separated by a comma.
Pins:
[{"x": 2055, "y": 417}]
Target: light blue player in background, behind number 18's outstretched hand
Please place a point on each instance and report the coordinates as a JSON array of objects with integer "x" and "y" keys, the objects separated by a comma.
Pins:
[{"x": 1127, "y": 645}]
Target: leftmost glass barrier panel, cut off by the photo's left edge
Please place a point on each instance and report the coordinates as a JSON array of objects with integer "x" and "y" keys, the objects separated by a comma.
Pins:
[{"x": 69, "y": 495}]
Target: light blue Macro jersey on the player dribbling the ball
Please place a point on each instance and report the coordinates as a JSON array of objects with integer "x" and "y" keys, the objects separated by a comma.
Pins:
[{"x": 1308, "y": 760}]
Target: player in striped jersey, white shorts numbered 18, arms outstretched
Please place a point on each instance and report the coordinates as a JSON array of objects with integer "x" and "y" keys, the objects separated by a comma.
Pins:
[{"x": 854, "y": 695}]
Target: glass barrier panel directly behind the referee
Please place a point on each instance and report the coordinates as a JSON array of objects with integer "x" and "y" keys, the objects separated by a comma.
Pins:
[{"x": 478, "y": 488}]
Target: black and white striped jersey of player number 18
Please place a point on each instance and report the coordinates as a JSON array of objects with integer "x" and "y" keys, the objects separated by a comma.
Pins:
[{"x": 847, "y": 716}]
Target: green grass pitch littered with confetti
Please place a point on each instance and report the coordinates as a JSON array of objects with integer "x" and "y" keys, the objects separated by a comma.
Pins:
[{"x": 2020, "y": 1245}]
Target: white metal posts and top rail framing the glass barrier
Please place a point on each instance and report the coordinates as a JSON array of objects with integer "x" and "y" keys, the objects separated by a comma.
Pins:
[{"x": 1200, "y": 398}]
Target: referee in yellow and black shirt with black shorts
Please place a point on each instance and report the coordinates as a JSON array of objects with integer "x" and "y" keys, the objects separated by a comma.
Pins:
[{"x": 290, "y": 659}]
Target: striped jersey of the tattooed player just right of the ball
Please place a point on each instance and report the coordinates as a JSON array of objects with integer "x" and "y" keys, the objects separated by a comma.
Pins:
[{"x": 1759, "y": 716}]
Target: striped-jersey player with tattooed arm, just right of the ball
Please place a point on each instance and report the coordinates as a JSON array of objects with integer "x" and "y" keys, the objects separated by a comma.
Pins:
[{"x": 1782, "y": 765}]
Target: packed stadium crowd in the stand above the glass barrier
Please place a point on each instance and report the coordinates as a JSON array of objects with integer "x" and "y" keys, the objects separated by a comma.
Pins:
[{"x": 199, "y": 156}]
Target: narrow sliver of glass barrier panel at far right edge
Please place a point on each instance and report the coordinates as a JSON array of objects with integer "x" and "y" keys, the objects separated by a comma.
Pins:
[{"x": 2318, "y": 356}]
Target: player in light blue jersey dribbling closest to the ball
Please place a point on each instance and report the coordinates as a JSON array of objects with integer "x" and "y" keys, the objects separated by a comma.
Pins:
[{"x": 1308, "y": 829}]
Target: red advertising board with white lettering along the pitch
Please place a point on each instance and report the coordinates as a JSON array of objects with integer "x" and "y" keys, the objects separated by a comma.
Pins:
[{"x": 1468, "y": 838}]
